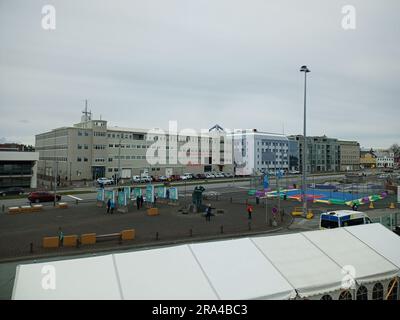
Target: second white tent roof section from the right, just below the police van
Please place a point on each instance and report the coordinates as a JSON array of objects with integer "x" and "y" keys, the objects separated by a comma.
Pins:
[{"x": 353, "y": 255}]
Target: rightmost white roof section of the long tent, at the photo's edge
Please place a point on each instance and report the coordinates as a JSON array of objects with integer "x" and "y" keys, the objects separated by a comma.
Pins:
[{"x": 378, "y": 238}]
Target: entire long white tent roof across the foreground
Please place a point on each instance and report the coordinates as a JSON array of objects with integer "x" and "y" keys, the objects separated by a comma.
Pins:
[{"x": 272, "y": 267}]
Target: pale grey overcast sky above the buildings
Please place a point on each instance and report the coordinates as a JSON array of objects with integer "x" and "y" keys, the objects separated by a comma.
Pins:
[{"x": 202, "y": 62}]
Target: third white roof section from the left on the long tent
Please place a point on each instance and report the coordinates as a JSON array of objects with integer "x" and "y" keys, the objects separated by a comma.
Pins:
[{"x": 237, "y": 270}]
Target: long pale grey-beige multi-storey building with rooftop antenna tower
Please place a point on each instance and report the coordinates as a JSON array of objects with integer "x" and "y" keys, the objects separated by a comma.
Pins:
[{"x": 92, "y": 149}]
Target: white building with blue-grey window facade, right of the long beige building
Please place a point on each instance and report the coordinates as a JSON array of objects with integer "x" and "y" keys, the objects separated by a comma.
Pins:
[{"x": 259, "y": 152}]
